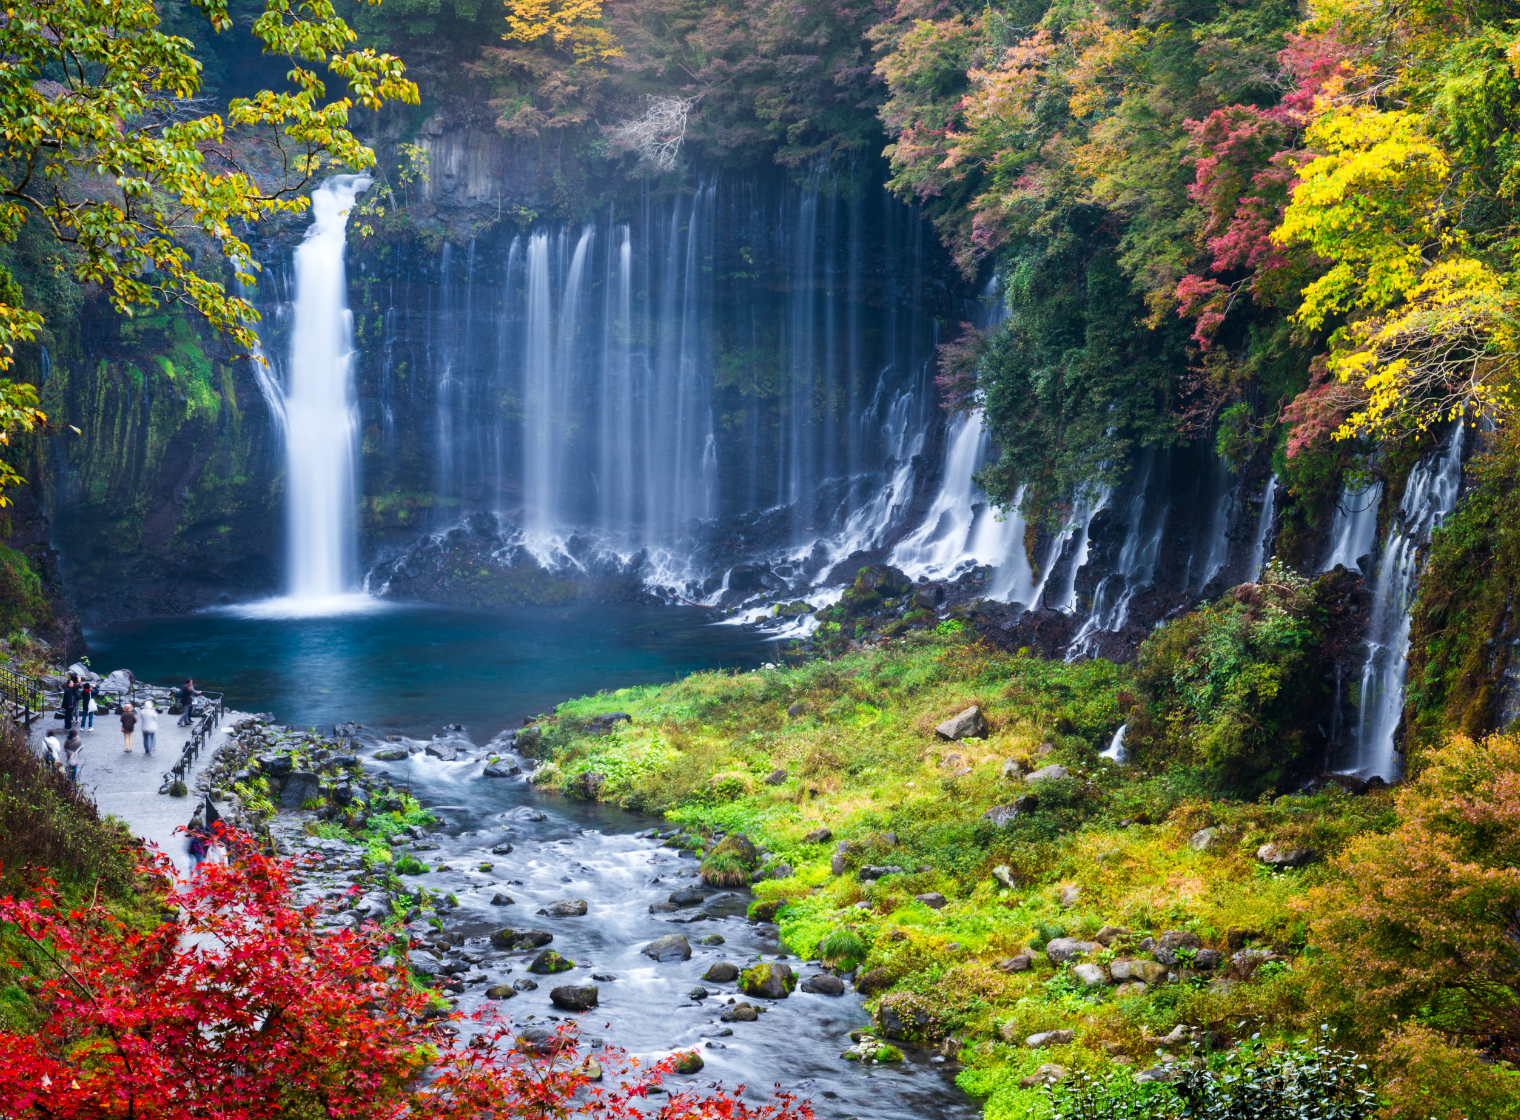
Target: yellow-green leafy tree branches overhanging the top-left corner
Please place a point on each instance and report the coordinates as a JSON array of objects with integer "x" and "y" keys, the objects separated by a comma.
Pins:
[{"x": 104, "y": 142}]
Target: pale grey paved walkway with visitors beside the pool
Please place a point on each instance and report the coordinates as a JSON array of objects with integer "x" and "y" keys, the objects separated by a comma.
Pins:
[{"x": 127, "y": 785}]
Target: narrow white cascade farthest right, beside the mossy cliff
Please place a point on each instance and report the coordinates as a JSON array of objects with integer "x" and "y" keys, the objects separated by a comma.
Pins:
[{"x": 1430, "y": 498}]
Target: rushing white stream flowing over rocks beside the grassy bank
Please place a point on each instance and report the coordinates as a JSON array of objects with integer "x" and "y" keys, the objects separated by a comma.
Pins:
[{"x": 566, "y": 850}]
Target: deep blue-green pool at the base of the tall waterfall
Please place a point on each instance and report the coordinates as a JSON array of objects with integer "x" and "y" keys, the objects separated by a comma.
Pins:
[{"x": 414, "y": 669}]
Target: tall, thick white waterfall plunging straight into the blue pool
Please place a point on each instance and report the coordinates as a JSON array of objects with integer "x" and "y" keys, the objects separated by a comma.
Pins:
[{"x": 320, "y": 420}]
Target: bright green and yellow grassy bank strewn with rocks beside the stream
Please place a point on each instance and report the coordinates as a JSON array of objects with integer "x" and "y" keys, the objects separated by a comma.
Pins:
[{"x": 879, "y": 858}]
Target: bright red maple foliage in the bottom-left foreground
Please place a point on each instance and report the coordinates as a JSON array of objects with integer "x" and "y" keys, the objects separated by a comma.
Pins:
[{"x": 239, "y": 1007}]
